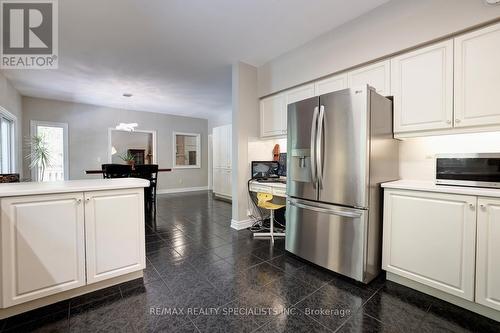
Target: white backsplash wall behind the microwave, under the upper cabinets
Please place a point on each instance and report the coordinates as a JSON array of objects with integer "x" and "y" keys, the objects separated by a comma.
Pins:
[{"x": 416, "y": 156}]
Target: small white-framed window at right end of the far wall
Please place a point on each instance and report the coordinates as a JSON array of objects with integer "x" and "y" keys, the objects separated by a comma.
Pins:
[{"x": 186, "y": 150}]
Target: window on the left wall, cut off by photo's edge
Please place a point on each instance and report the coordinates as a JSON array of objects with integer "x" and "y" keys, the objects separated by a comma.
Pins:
[{"x": 7, "y": 142}]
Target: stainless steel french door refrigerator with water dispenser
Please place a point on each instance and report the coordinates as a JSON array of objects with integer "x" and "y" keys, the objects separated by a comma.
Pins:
[{"x": 340, "y": 147}]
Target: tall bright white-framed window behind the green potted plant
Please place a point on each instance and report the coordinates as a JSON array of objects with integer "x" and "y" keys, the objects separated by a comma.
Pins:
[{"x": 54, "y": 137}]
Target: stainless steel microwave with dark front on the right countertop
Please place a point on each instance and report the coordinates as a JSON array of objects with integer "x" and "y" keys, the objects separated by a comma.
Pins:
[{"x": 477, "y": 170}]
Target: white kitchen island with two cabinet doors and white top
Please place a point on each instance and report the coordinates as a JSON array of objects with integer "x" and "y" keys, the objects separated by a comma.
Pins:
[{"x": 64, "y": 239}]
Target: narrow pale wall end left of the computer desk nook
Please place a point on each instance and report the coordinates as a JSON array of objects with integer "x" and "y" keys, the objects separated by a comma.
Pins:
[{"x": 245, "y": 128}]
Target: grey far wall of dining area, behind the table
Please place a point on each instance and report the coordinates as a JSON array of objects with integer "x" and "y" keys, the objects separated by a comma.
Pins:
[{"x": 88, "y": 137}]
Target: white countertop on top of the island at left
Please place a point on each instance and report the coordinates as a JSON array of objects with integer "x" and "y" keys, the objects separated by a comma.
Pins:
[{"x": 33, "y": 188}]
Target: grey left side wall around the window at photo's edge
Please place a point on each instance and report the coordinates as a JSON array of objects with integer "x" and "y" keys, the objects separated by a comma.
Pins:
[{"x": 11, "y": 100}]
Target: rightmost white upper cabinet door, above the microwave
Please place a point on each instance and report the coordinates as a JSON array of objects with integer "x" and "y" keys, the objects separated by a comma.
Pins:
[{"x": 477, "y": 78}]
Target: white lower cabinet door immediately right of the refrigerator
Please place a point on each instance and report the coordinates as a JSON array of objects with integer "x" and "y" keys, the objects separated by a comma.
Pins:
[{"x": 431, "y": 238}]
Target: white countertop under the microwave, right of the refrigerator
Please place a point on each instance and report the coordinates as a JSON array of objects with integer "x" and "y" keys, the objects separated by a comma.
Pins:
[{"x": 429, "y": 186}]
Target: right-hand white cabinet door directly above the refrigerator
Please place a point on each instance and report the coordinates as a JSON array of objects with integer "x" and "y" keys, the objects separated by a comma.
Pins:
[{"x": 376, "y": 75}]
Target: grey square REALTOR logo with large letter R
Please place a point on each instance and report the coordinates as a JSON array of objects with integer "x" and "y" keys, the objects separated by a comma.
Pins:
[{"x": 29, "y": 37}]
